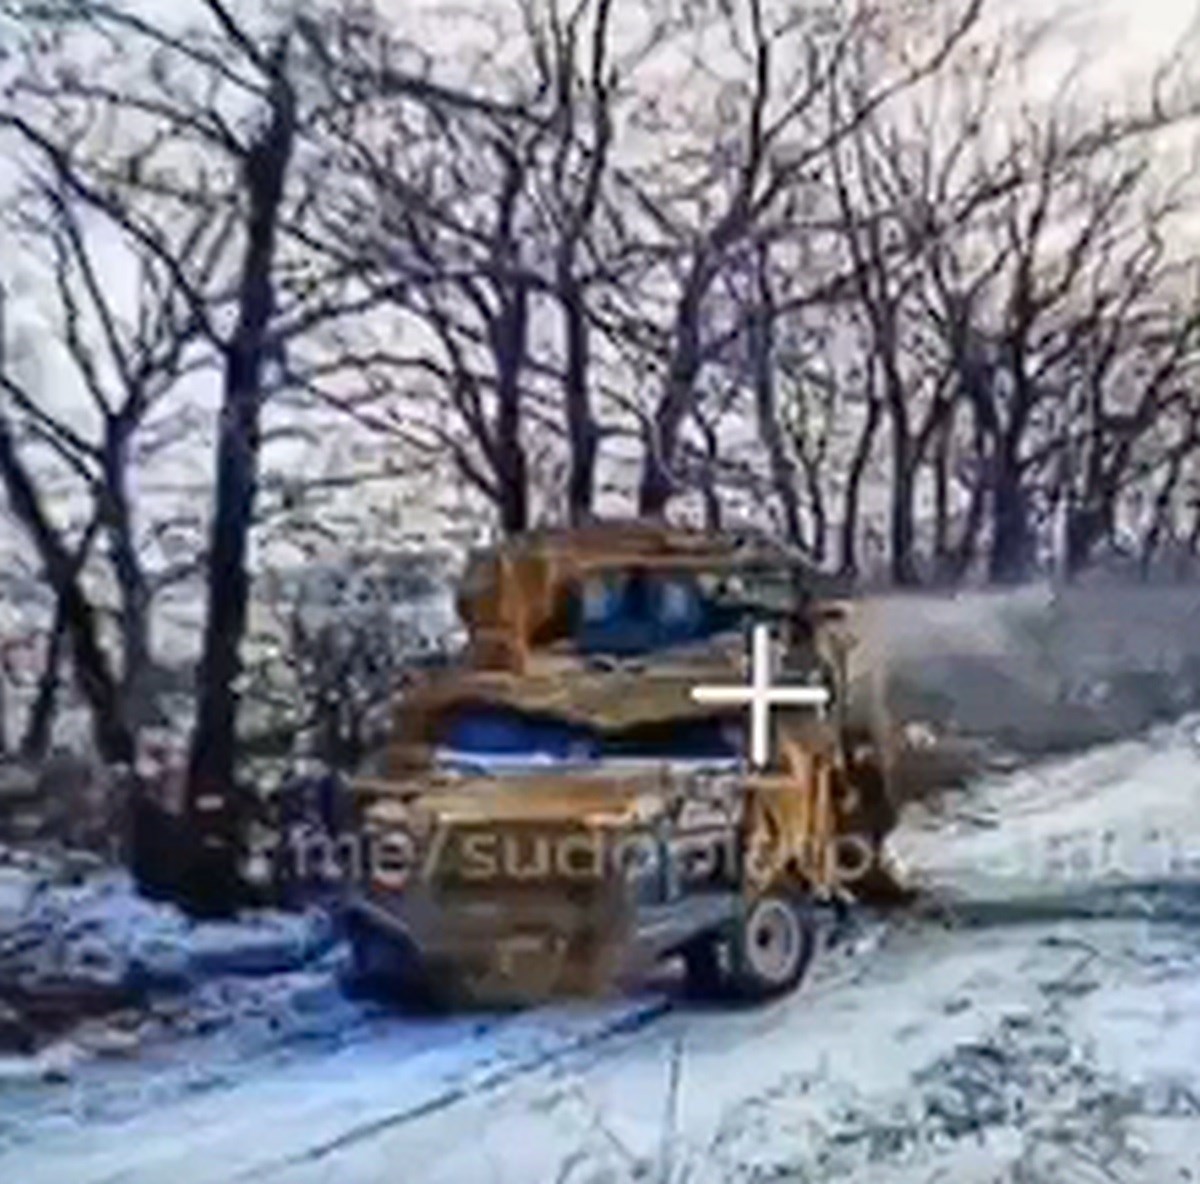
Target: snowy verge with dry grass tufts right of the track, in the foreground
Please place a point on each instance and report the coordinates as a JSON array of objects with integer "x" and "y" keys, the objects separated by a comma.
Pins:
[{"x": 956, "y": 1059}]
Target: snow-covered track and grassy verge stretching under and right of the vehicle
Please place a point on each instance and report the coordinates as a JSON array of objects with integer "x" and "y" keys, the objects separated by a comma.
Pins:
[{"x": 1037, "y": 1021}]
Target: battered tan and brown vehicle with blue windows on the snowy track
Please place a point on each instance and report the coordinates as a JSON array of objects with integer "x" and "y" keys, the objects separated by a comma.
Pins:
[{"x": 562, "y": 809}]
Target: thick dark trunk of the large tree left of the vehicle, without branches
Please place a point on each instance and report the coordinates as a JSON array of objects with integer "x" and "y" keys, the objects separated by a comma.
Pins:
[{"x": 211, "y": 885}]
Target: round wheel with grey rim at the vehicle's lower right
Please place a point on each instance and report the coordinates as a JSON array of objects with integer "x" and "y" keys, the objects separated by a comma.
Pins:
[{"x": 772, "y": 947}]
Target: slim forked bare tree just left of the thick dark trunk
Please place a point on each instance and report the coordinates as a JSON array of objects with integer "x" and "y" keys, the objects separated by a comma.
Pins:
[{"x": 127, "y": 363}]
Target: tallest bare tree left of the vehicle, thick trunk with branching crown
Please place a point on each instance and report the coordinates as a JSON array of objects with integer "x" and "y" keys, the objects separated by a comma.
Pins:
[{"x": 184, "y": 161}]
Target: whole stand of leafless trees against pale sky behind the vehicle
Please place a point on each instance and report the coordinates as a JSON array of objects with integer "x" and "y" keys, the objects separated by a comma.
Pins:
[{"x": 837, "y": 269}]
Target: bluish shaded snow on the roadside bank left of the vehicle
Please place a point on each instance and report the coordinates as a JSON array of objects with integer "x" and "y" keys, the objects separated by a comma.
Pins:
[{"x": 89, "y": 970}]
